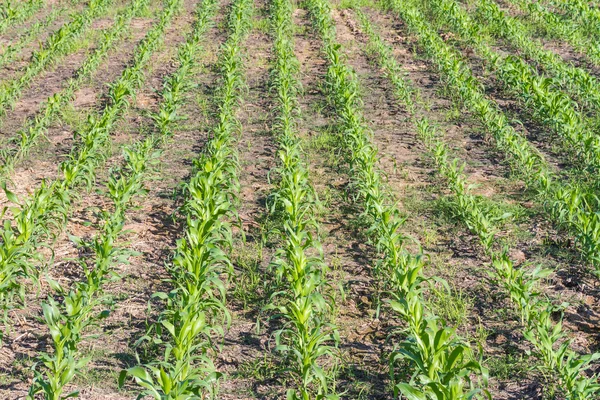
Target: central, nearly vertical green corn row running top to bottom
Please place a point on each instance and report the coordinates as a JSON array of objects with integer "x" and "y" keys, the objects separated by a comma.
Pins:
[{"x": 305, "y": 337}]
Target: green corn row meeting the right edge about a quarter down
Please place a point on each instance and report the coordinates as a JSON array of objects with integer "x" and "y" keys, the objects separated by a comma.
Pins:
[{"x": 583, "y": 85}]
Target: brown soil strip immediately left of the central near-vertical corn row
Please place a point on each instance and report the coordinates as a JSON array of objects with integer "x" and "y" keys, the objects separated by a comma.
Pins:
[{"x": 247, "y": 340}]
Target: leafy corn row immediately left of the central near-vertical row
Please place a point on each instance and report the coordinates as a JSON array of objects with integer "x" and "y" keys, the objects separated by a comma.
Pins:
[{"x": 195, "y": 309}]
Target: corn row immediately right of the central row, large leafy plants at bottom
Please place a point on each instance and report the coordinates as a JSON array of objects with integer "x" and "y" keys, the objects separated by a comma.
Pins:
[{"x": 443, "y": 362}]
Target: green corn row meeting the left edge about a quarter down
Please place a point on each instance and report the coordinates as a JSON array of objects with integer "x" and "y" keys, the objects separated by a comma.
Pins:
[{"x": 60, "y": 43}]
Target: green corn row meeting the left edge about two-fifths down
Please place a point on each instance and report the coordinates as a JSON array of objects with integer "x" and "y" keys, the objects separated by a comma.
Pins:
[{"x": 27, "y": 137}]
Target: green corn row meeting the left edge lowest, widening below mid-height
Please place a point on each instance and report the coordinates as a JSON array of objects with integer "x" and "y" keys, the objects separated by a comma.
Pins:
[{"x": 43, "y": 214}]
